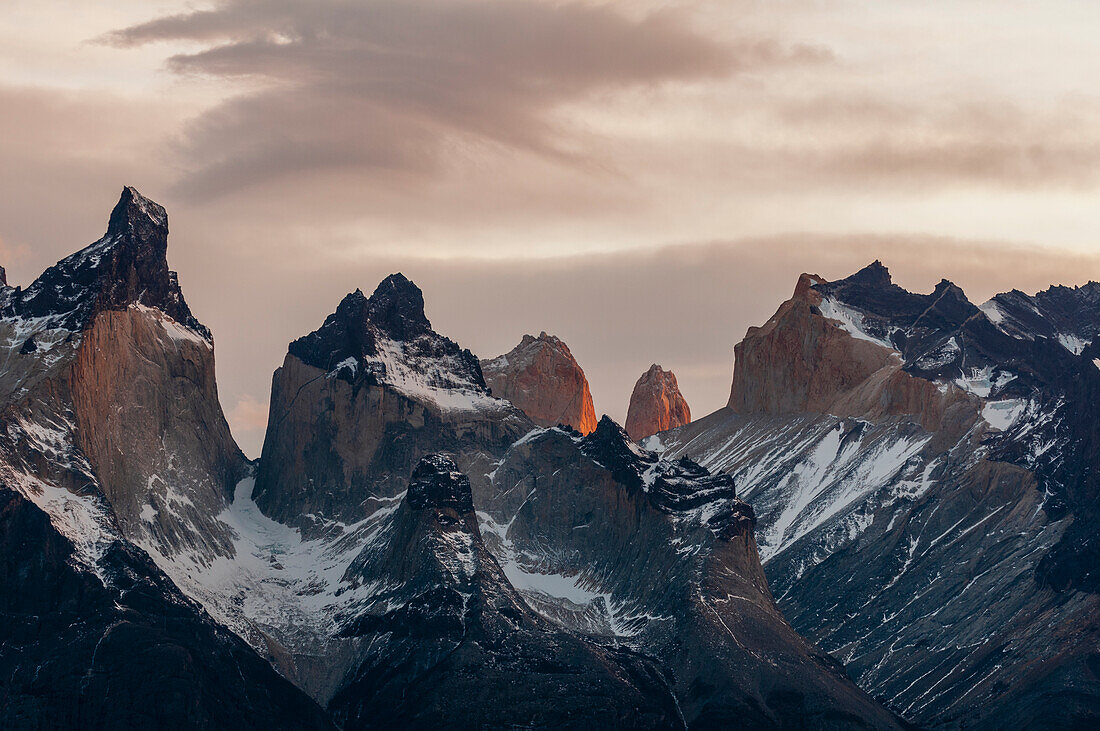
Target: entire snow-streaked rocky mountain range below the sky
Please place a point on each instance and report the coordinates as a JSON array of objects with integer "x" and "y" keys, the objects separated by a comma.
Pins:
[{"x": 889, "y": 526}]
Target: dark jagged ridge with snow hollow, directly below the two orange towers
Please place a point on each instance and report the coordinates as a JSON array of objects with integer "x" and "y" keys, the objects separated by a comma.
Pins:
[{"x": 608, "y": 540}]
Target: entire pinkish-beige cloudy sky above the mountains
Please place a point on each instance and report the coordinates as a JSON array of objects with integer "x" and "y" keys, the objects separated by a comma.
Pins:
[{"x": 645, "y": 180}]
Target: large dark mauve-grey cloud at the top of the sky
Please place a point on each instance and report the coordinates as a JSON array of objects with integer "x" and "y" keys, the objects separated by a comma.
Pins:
[{"x": 393, "y": 86}]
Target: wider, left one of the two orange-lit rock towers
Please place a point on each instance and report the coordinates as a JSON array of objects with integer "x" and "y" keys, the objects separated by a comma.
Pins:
[{"x": 543, "y": 379}]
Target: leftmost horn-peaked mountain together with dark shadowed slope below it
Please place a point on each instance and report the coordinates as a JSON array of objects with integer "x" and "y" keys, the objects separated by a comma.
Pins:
[{"x": 112, "y": 437}]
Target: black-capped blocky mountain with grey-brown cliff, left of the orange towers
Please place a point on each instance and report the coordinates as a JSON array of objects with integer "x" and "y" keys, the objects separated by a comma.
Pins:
[{"x": 362, "y": 400}]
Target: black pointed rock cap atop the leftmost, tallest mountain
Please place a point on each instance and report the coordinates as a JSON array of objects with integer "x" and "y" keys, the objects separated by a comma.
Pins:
[{"x": 128, "y": 267}]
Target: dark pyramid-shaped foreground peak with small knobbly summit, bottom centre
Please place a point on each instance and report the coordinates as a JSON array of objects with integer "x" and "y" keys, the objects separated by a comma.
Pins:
[{"x": 454, "y": 646}]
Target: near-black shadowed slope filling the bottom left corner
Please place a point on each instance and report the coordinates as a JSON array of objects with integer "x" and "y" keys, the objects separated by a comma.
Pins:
[{"x": 124, "y": 650}]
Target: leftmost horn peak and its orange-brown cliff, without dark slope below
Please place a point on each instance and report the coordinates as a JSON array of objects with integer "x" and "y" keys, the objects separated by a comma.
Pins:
[{"x": 103, "y": 351}]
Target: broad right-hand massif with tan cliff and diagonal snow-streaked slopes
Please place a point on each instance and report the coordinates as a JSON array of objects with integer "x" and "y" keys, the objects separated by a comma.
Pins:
[{"x": 920, "y": 470}]
